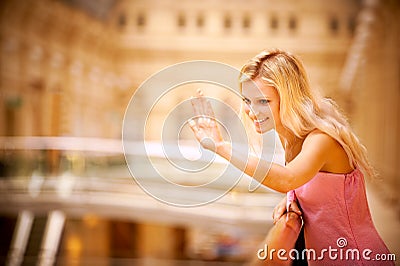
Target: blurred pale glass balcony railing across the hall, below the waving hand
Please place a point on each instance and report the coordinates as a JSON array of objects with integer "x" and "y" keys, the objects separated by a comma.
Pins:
[{"x": 67, "y": 167}]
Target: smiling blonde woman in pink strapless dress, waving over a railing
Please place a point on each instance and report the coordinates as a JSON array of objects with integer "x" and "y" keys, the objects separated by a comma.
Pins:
[{"x": 325, "y": 161}]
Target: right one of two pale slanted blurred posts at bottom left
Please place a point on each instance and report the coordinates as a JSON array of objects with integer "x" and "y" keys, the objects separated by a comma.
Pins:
[{"x": 51, "y": 238}]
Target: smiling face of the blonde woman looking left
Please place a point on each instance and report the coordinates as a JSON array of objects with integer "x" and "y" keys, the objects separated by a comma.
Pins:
[{"x": 261, "y": 105}]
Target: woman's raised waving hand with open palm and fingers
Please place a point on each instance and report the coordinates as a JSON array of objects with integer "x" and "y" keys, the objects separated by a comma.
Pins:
[{"x": 204, "y": 124}]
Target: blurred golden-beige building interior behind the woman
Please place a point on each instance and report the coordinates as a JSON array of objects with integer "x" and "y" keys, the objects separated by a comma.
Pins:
[{"x": 68, "y": 70}]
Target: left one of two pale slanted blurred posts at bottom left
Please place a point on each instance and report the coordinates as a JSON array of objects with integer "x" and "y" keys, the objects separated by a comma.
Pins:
[{"x": 20, "y": 238}]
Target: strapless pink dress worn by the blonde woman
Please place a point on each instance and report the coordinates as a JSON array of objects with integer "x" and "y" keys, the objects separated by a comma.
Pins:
[{"x": 338, "y": 227}]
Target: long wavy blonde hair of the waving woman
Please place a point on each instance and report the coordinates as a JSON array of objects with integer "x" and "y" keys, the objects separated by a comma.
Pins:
[{"x": 301, "y": 109}]
